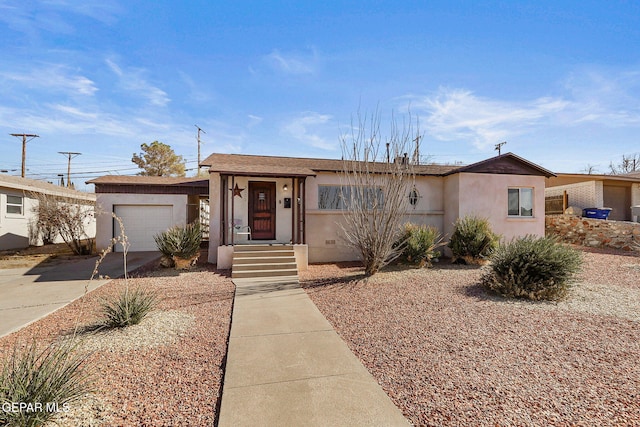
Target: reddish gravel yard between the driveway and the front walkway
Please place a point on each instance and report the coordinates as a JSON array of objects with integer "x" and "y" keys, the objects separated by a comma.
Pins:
[{"x": 165, "y": 371}]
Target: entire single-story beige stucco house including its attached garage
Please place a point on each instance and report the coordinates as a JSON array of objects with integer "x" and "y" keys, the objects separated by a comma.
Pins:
[{"x": 269, "y": 199}]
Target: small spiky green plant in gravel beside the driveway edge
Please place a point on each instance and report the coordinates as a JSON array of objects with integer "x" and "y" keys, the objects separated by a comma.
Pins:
[{"x": 128, "y": 308}]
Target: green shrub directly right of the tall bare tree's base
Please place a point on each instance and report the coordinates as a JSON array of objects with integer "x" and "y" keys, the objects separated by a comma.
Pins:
[{"x": 420, "y": 244}]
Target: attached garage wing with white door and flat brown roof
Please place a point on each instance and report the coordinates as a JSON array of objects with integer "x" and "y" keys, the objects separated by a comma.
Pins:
[{"x": 147, "y": 205}]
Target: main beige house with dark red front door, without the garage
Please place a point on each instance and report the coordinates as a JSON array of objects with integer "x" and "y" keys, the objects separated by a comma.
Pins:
[{"x": 285, "y": 199}]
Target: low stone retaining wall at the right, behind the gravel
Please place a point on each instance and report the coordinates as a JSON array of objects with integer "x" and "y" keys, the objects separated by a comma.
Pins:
[{"x": 594, "y": 232}]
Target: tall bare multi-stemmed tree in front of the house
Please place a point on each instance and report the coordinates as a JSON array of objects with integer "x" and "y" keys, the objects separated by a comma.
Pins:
[{"x": 376, "y": 180}]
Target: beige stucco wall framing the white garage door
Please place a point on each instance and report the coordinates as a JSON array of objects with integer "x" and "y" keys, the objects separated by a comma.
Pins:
[{"x": 106, "y": 201}]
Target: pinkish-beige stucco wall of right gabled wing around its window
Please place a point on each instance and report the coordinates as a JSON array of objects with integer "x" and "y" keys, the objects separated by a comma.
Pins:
[{"x": 486, "y": 195}]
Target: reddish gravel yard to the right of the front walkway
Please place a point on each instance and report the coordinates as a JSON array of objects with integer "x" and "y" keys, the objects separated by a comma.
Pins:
[{"x": 447, "y": 353}]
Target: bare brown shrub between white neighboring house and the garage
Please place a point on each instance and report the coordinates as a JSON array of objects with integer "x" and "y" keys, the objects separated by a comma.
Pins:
[{"x": 68, "y": 217}]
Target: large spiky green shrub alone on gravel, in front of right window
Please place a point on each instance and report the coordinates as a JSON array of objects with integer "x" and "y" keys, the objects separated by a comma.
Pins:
[{"x": 536, "y": 268}]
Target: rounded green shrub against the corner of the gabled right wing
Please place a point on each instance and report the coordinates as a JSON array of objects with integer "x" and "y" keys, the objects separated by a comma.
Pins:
[{"x": 472, "y": 240}]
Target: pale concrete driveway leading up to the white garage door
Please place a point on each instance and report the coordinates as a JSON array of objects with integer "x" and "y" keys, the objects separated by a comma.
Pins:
[{"x": 29, "y": 294}]
